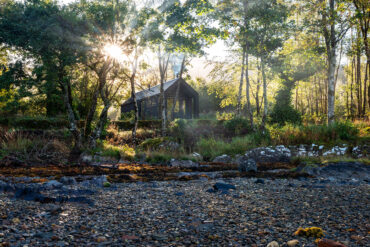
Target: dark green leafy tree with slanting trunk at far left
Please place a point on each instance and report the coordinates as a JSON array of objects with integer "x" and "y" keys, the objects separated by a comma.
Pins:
[{"x": 54, "y": 36}]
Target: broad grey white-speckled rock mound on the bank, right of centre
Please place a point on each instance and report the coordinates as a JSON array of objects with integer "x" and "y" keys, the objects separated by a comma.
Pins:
[{"x": 269, "y": 155}]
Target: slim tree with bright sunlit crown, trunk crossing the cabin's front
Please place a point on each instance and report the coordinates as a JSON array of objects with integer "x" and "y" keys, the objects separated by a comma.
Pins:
[{"x": 179, "y": 27}]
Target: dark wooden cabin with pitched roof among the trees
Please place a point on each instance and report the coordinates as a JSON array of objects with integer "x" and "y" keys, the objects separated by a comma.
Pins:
[{"x": 186, "y": 105}]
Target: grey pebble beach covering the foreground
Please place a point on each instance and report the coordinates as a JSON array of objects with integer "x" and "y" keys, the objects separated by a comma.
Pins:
[{"x": 176, "y": 213}]
